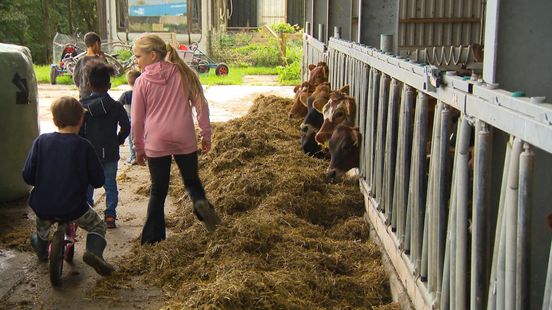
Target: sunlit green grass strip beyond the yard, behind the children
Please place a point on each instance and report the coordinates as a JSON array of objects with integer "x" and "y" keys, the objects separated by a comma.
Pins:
[{"x": 234, "y": 77}]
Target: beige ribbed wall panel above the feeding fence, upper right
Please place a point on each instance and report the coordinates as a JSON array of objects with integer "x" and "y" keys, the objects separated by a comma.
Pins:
[{"x": 439, "y": 22}]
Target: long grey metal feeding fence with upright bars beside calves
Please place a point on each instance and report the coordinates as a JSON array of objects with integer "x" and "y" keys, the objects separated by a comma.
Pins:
[{"x": 450, "y": 169}]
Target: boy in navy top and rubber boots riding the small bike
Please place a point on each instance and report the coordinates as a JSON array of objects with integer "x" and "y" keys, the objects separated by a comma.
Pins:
[{"x": 61, "y": 165}]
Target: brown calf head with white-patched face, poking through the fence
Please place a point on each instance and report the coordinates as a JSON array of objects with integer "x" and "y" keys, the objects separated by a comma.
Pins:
[{"x": 340, "y": 109}]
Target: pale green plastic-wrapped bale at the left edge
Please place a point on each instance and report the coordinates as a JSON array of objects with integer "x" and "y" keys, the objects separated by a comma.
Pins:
[{"x": 18, "y": 118}]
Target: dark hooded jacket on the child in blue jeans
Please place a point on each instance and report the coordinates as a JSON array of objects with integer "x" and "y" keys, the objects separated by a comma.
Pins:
[{"x": 103, "y": 115}]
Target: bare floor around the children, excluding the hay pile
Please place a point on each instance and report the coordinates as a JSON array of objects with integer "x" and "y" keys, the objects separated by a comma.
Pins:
[{"x": 24, "y": 282}]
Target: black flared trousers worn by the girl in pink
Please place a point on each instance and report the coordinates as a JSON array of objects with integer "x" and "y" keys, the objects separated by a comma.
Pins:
[{"x": 160, "y": 168}]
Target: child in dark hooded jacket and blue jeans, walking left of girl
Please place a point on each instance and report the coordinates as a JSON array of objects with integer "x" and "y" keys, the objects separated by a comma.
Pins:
[{"x": 102, "y": 117}]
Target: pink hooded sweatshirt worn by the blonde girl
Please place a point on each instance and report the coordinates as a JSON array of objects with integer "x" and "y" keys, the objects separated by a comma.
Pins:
[{"x": 161, "y": 113}]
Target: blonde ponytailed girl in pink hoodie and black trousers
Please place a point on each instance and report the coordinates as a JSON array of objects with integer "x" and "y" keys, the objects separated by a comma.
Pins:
[{"x": 163, "y": 128}]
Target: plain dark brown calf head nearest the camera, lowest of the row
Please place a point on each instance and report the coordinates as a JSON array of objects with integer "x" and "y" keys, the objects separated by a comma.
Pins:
[{"x": 344, "y": 152}]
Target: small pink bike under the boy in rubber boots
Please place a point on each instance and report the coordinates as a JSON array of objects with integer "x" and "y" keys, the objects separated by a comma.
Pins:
[{"x": 61, "y": 248}]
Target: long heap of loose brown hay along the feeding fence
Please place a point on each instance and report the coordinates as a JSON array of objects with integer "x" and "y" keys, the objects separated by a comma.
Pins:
[{"x": 288, "y": 240}]
